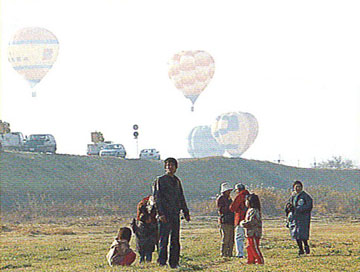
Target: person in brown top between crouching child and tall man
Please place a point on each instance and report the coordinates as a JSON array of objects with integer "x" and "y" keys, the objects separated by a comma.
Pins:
[{"x": 146, "y": 229}]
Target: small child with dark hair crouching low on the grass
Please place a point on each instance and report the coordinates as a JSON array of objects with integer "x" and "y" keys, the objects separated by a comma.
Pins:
[{"x": 120, "y": 252}]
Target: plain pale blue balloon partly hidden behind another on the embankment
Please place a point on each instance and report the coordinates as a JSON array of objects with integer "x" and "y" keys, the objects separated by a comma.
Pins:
[{"x": 201, "y": 143}]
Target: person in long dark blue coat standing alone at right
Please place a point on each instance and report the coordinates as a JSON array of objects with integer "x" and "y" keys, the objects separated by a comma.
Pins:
[{"x": 298, "y": 210}]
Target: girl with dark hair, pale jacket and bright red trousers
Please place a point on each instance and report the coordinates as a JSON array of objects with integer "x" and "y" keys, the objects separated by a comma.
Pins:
[{"x": 253, "y": 229}]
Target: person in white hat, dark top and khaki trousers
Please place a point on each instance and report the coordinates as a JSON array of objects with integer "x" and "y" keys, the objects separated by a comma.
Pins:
[{"x": 226, "y": 220}]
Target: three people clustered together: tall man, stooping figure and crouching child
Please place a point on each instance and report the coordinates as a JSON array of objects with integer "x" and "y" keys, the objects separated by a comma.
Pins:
[{"x": 157, "y": 224}]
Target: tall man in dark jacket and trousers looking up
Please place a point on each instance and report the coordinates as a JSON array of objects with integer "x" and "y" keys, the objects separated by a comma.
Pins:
[{"x": 169, "y": 201}]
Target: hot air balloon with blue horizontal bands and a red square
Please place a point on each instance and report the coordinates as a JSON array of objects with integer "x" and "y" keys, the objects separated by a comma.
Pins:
[{"x": 32, "y": 53}]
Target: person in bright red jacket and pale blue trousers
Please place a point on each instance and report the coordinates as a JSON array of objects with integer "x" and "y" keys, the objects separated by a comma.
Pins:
[{"x": 239, "y": 208}]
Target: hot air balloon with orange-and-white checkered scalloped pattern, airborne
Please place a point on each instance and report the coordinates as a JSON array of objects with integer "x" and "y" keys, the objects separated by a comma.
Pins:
[{"x": 191, "y": 72}]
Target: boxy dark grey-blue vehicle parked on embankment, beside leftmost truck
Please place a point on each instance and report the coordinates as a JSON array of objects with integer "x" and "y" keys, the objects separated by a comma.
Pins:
[{"x": 40, "y": 143}]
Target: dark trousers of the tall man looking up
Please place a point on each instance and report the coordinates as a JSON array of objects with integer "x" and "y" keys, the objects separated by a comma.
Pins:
[{"x": 170, "y": 228}]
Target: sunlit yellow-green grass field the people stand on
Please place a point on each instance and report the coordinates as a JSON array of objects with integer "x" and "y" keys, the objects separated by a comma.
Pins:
[{"x": 81, "y": 245}]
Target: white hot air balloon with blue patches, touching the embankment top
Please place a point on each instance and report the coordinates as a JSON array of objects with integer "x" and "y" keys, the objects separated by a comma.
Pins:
[{"x": 235, "y": 131}]
